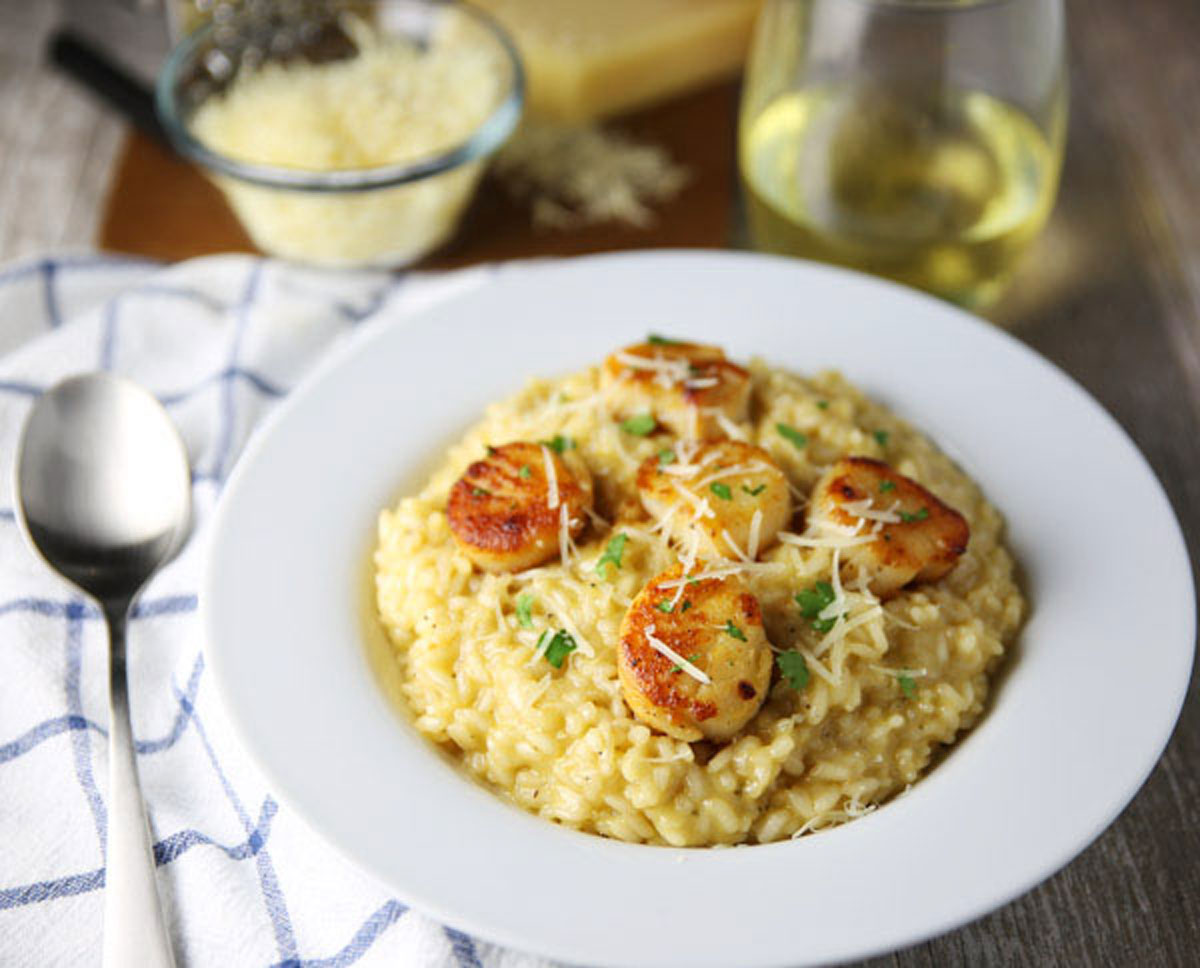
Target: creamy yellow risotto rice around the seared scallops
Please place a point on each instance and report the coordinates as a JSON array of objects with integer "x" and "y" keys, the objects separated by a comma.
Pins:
[{"x": 879, "y": 705}]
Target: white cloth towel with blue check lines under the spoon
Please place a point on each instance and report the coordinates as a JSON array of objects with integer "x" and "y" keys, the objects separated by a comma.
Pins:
[{"x": 220, "y": 341}]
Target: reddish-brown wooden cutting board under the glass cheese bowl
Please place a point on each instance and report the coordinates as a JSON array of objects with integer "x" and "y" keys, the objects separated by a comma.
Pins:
[{"x": 161, "y": 207}]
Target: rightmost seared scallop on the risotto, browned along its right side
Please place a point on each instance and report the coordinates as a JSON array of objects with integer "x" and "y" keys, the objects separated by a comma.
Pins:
[{"x": 915, "y": 537}]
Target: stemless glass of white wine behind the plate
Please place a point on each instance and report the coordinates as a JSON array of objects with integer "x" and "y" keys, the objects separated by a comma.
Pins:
[{"x": 917, "y": 140}]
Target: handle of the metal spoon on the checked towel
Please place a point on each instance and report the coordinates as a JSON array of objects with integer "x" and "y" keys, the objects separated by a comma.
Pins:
[{"x": 135, "y": 933}]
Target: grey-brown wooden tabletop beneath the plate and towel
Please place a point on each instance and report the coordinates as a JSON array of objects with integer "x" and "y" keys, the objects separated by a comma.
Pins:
[{"x": 1111, "y": 293}]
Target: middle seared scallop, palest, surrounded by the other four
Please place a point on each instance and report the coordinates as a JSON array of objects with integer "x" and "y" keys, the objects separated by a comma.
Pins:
[{"x": 727, "y": 501}]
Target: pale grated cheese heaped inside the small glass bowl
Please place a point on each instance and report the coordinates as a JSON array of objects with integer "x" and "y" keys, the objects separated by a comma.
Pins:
[{"x": 393, "y": 104}]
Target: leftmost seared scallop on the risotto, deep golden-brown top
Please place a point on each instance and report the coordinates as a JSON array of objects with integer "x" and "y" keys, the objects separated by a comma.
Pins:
[{"x": 515, "y": 509}]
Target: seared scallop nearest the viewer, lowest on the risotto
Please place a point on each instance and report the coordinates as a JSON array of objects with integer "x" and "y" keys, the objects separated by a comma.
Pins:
[{"x": 694, "y": 659}]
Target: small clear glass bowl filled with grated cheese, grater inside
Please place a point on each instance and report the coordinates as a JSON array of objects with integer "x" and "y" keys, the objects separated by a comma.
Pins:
[{"x": 349, "y": 134}]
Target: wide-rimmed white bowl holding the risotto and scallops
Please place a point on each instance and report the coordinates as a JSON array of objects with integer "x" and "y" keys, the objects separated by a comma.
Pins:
[{"x": 1081, "y": 716}]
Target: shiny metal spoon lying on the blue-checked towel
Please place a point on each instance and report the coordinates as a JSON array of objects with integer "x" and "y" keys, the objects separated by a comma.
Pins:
[{"x": 104, "y": 495}]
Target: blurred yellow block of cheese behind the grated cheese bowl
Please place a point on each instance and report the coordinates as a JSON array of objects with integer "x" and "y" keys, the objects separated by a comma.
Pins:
[{"x": 589, "y": 59}]
